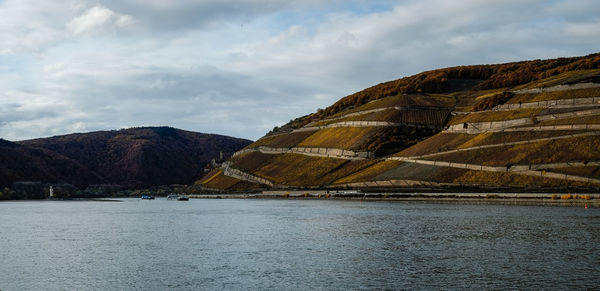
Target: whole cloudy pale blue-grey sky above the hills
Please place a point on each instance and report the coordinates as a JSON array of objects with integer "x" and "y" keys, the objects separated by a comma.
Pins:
[{"x": 239, "y": 68}]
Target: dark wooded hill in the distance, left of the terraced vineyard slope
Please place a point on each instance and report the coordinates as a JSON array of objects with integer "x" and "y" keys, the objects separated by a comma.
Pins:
[{"x": 135, "y": 157}]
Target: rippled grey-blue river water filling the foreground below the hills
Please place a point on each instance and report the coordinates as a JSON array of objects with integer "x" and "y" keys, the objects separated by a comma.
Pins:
[{"x": 295, "y": 244}]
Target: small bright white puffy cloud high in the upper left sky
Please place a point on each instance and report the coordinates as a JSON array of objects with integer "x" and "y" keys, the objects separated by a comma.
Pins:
[{"x": 96, "y": 18}]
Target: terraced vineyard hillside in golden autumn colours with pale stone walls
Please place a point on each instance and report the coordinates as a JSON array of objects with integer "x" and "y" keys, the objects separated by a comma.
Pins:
[{"x": 522, "y": 125}]
